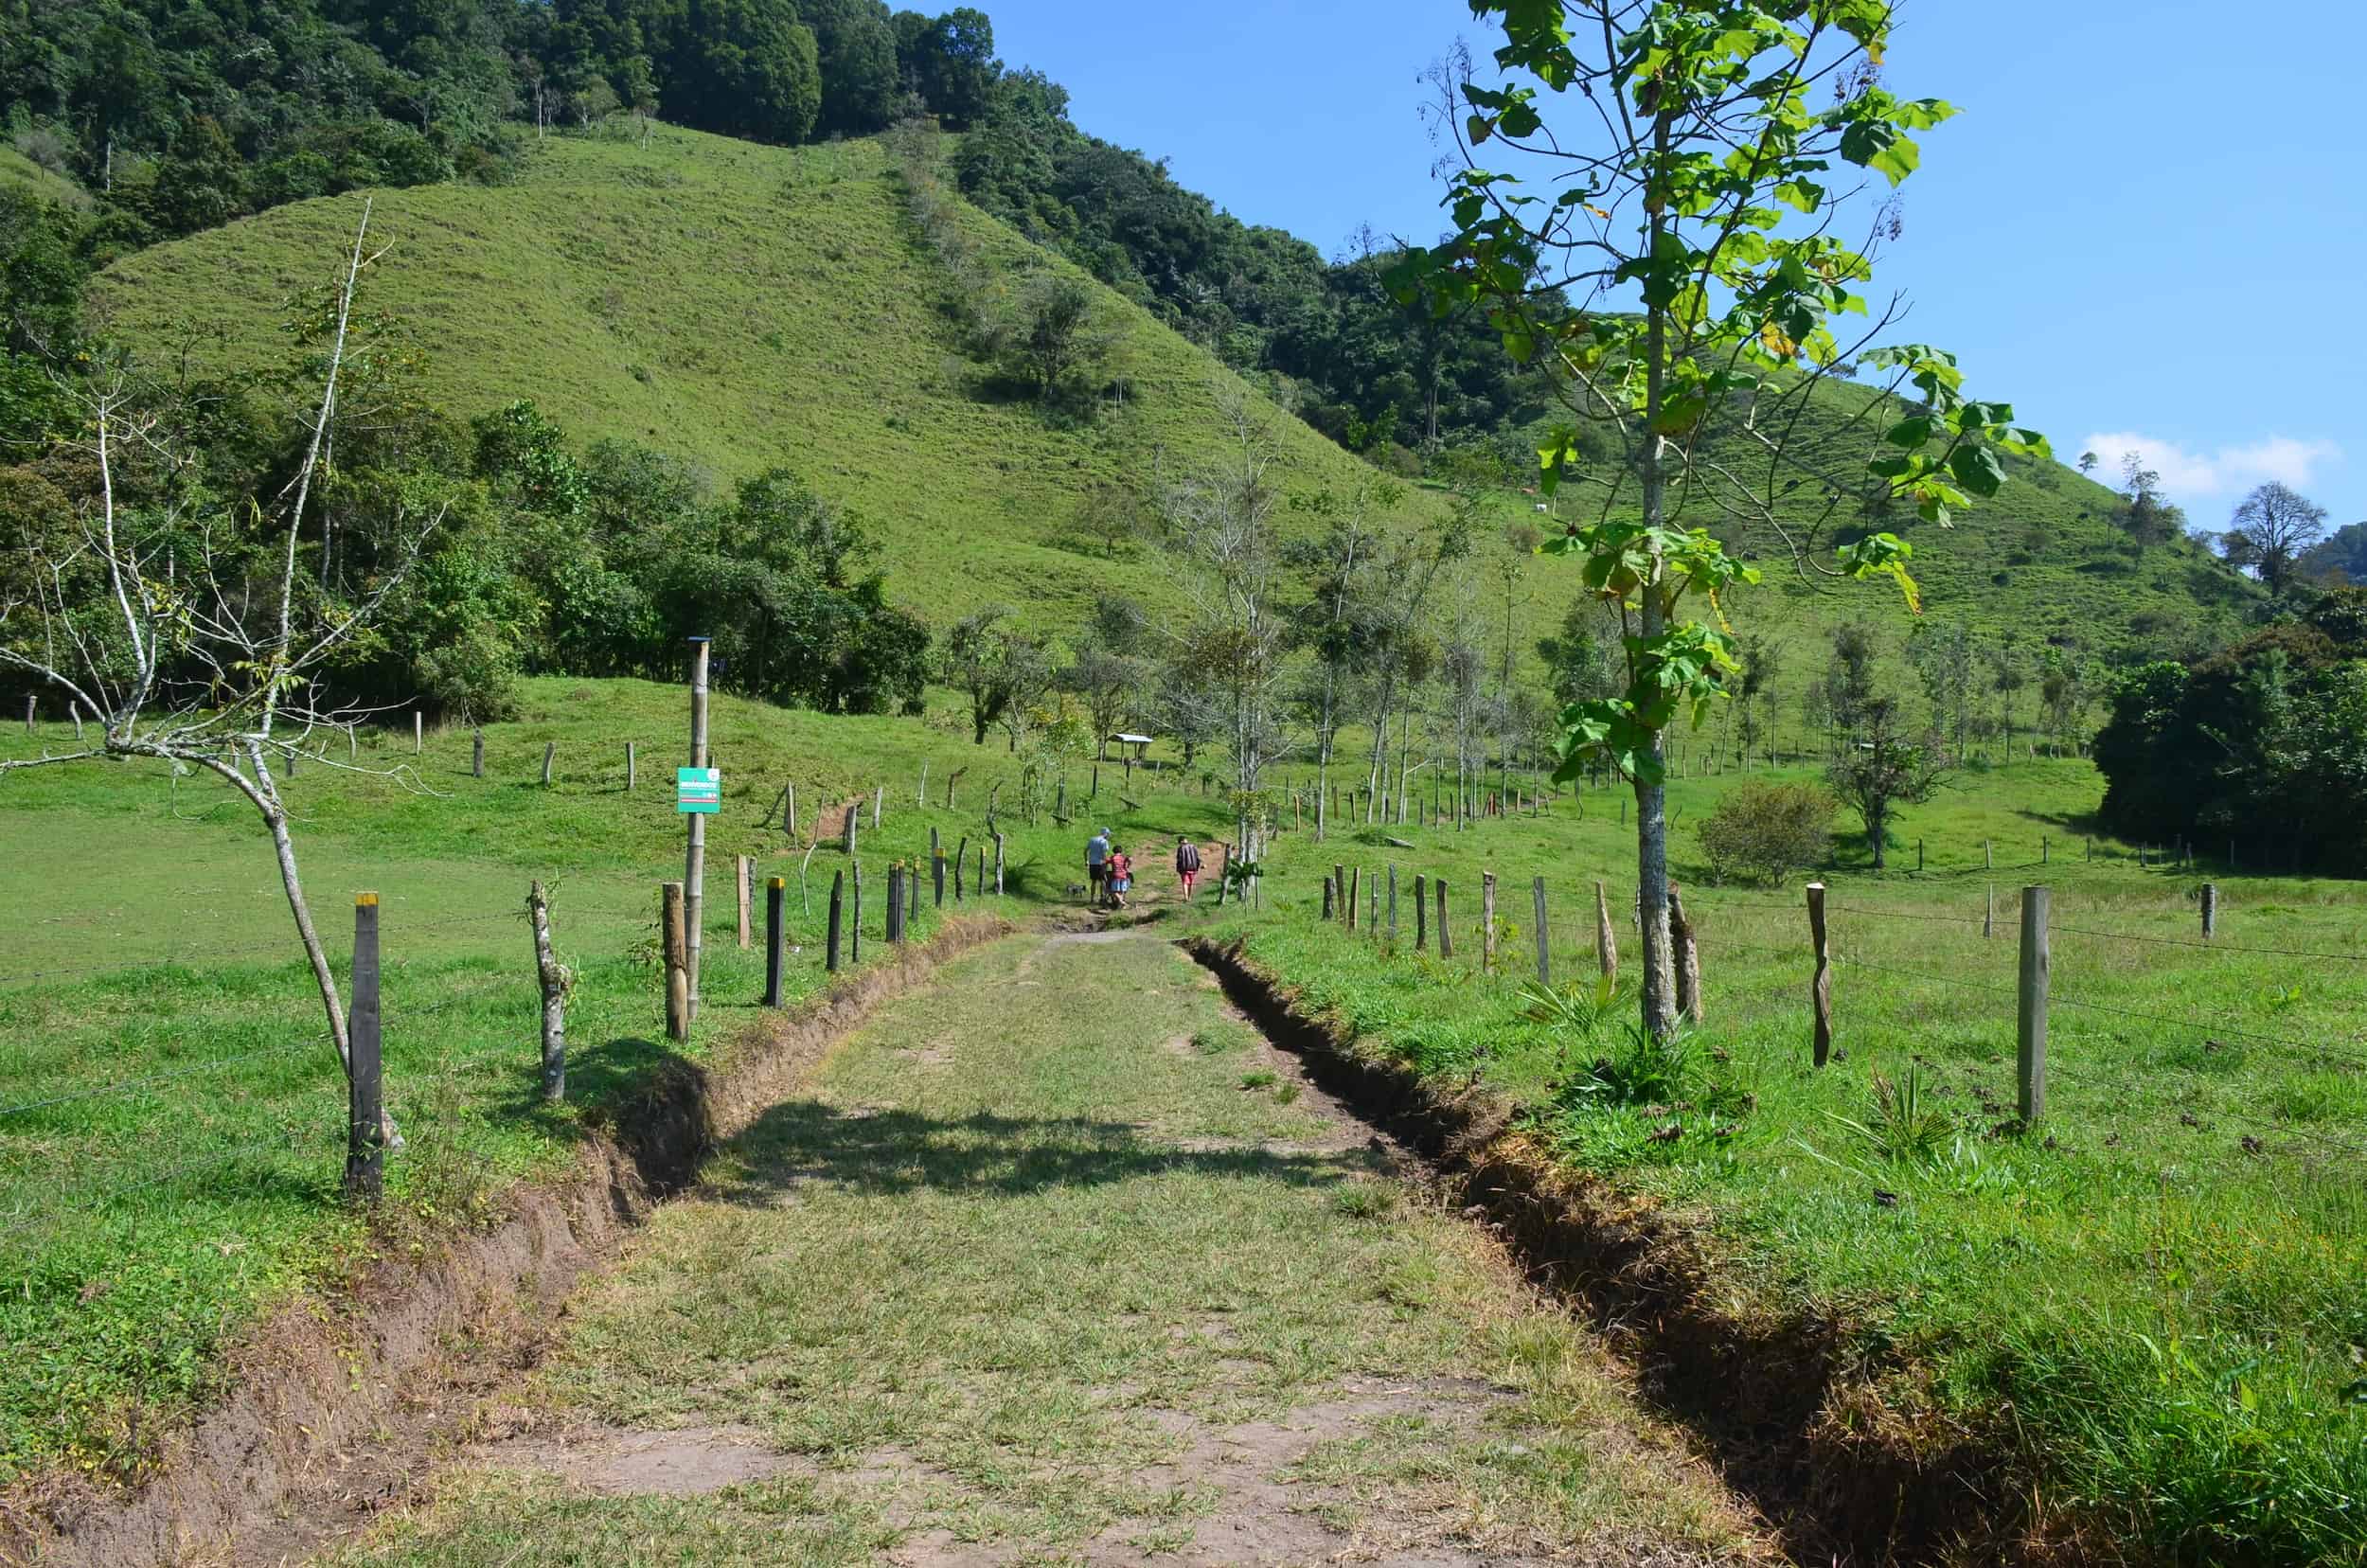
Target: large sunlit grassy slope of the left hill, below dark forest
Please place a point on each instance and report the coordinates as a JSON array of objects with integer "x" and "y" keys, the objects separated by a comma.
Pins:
[{"x": 742, "y": 307}]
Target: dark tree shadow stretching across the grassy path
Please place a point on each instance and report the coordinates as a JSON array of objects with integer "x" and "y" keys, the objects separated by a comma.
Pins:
[{"x": 894, "y": 1152}]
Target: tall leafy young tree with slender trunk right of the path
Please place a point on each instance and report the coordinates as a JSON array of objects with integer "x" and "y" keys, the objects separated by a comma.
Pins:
[{"x": 1686, "y": 269}]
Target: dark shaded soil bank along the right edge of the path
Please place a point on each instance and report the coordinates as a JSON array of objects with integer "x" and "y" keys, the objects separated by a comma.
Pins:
[{"x": 1795, "y": 1422}]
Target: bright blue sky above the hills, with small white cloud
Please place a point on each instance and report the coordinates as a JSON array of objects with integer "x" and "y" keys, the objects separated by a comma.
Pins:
[{"x": 2146, "y": 229}]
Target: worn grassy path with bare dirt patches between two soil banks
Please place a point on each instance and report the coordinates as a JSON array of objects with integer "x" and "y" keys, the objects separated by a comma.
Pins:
[{"x": 1062, "y": 1264}]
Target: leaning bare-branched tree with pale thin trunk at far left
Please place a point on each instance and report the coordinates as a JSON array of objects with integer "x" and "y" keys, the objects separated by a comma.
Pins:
[{"x": 191, "y": 641}]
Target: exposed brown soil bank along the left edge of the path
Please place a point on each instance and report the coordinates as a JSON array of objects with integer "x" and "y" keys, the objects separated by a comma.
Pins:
[{"x": 335, "y": 1401}]
